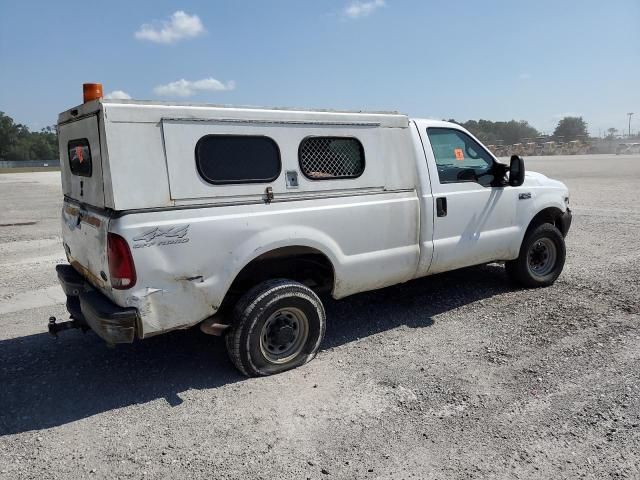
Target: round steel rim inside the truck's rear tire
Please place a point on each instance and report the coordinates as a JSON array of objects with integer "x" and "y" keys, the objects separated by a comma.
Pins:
[{"x": 284, "y": 334}]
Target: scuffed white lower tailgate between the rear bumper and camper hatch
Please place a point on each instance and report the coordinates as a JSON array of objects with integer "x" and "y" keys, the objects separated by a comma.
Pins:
[{"x": 84, "y": 233}]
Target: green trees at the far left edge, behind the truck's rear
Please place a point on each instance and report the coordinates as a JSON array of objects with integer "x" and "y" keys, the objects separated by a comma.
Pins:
[{"x": 18, "y": 143}]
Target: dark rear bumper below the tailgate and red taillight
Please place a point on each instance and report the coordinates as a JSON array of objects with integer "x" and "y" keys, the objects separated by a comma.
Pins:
[{"x": 86, "y": 305}]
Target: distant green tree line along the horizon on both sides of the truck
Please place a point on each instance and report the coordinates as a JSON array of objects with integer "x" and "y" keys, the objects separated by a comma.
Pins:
[{"x": 17, "y": 142}]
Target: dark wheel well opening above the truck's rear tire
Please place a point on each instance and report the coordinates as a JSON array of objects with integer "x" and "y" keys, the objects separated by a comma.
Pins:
[{"x": 306, "y": 265}]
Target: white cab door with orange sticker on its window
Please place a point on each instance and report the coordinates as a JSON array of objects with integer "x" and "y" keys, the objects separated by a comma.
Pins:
[{"x": 474, "y": 218}]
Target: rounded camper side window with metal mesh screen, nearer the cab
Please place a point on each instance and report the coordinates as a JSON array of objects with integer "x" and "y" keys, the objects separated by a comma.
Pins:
[{"x": 326, "y": 158}]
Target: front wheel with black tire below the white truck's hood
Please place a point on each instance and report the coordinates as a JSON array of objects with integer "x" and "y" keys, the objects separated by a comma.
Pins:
[{"x": 541, "y": 259}]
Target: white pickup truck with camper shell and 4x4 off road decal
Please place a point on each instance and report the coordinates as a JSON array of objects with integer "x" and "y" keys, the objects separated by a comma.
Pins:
[{"x": 236, "y": 219}]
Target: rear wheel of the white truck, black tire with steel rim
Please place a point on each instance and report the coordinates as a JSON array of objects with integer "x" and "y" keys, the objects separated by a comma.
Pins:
[{"x": 270, "y": 316}]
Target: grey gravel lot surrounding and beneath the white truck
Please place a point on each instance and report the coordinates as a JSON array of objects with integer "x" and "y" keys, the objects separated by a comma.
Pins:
[{"x": 454, "y": 376}]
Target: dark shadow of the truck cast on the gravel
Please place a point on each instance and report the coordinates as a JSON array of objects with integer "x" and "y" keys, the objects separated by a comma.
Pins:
[{"x": 46, "y": 383}]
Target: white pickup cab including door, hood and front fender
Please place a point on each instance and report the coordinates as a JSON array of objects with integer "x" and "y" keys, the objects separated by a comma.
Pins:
[{"x": 478, "y": 214}]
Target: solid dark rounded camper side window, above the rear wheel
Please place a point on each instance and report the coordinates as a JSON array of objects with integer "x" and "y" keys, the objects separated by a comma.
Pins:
[{"x": 225, "y": 159}]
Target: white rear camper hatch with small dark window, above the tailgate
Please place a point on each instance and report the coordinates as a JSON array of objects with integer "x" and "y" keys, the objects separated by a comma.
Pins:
[{"x": 81, "y": 160}]
